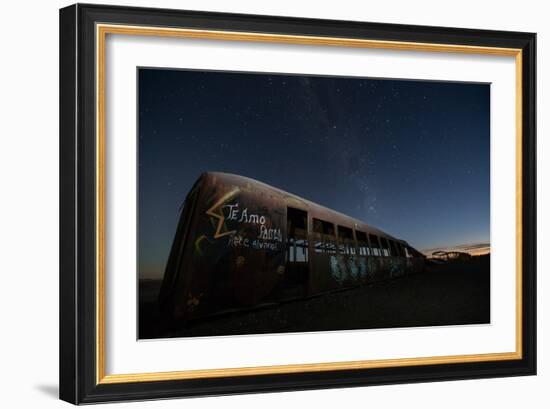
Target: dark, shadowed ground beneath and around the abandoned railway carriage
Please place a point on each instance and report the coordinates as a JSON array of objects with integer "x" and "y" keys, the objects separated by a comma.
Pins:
[{"x": 449, "y": 294}]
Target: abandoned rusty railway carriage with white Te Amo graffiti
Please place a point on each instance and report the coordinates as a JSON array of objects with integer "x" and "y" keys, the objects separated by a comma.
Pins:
[{"x": 240, "y": 243}]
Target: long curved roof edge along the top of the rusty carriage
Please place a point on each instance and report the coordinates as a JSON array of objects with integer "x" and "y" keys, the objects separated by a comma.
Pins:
[{"x": 333, "y": 215}]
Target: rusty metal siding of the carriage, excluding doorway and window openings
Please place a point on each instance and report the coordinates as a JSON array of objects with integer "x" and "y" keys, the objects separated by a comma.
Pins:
[{"x": 235, "y": 252}]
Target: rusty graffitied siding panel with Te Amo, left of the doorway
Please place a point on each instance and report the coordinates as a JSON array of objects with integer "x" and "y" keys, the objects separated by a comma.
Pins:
[{"x": 233, "y": 260}]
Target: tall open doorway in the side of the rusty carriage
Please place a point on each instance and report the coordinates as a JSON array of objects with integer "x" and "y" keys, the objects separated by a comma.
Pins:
[{"x": 297, "y": 254}]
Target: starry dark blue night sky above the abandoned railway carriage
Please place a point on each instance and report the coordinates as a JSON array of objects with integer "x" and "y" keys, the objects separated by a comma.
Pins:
[{"x": 408, "y": 157}]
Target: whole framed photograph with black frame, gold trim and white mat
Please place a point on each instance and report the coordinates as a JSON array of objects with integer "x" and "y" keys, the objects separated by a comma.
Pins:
[{"x": 257, "y": 203}]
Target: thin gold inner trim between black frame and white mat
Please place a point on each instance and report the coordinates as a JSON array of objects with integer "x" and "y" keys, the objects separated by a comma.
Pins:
[{"x": 101, "y": 33}]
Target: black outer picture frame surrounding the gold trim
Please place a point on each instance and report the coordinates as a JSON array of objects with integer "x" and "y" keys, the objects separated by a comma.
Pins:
[{"x": 78, "y": 286}]
